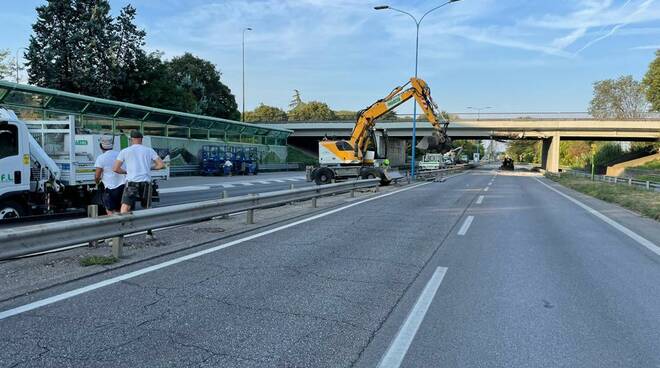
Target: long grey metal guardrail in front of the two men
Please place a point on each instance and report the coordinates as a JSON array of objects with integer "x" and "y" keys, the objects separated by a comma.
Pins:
[{"x": 40, "y": 238}]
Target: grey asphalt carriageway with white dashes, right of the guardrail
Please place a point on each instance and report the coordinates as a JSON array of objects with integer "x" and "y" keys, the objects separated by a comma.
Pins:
[{"x": 433, "y": 276}]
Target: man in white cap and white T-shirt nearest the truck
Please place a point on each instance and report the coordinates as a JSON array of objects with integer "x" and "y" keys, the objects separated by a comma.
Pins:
[{"x": 113, "y": 182}]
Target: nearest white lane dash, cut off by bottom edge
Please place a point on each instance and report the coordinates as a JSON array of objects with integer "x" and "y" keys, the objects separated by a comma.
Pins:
[{"x": 399, "y": 346}]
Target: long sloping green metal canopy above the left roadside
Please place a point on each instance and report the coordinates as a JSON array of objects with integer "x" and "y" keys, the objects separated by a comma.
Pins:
[{"x": 24, "y": 96}]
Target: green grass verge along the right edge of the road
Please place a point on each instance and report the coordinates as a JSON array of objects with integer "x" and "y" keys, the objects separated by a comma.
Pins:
[{"x": 642, "y": 201}]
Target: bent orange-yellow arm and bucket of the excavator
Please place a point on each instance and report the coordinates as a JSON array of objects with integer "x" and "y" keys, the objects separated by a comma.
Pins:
[{"x": 419, "y": 90}]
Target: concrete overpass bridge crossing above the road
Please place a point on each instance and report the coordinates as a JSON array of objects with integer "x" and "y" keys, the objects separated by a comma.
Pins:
[{"x": 550, "y": 131}]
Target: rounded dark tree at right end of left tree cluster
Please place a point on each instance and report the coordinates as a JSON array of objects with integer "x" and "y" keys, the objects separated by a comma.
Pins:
[{"x": 202, "y": 79}]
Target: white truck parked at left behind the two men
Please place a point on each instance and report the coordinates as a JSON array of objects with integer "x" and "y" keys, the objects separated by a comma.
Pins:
[{"x": 46, "y": 168}]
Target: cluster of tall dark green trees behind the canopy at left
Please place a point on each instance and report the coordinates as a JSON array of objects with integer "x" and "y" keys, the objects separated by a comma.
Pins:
[{"x": 77, "y": 46}]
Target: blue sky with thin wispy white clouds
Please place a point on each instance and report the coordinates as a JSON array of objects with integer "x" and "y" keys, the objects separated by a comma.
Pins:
[{"x": 513, "y": 55}]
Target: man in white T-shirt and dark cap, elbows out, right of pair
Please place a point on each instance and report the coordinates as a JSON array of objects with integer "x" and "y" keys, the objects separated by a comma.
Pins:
[{"x": 139, "y": 160}]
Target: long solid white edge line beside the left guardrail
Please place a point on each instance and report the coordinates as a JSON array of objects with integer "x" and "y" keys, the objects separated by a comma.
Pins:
[{"x": 130, "y": 275}]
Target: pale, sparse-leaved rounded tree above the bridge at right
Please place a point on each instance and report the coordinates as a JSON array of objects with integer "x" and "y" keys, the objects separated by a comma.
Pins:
[{"x": 623, "y": 98}]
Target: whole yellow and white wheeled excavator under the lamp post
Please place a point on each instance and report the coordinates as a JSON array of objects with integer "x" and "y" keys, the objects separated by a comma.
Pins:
[{"x": 355, "y": 157}]
